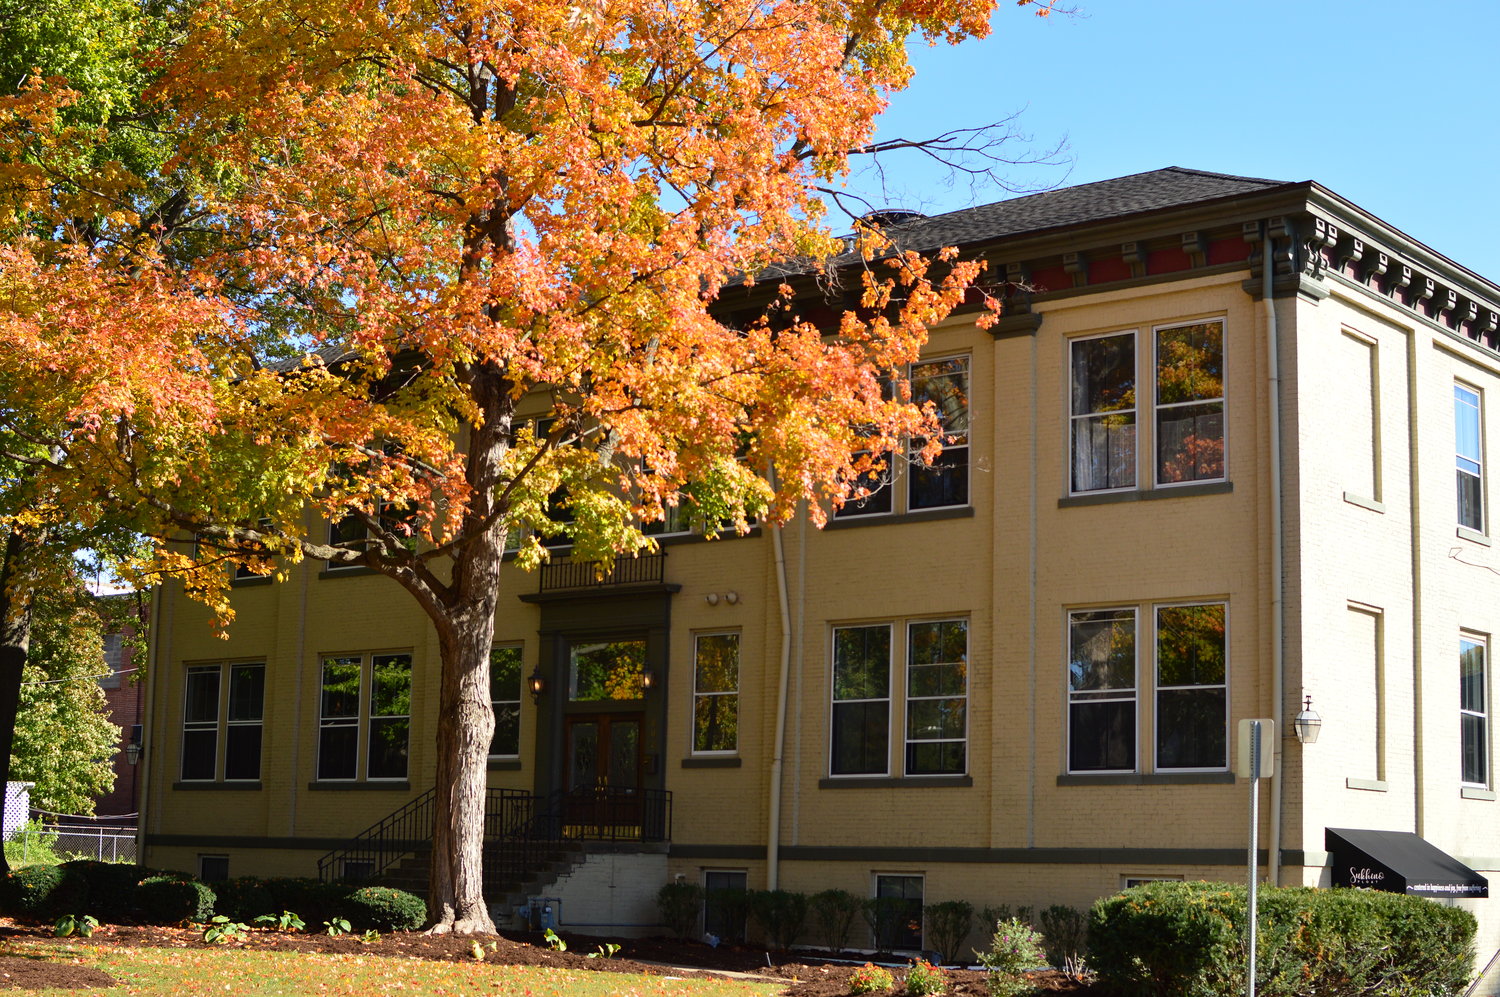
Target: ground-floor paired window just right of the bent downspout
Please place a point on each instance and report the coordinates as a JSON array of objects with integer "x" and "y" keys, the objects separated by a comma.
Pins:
[{"x": 932, "y": 714}]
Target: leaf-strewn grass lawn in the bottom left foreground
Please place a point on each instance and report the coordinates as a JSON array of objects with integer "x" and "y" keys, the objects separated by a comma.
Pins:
[{"x": 251, "y": 974}]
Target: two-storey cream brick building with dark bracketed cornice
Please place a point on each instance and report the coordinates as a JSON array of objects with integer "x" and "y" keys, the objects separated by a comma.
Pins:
[{"x": 1012, "y": 678}]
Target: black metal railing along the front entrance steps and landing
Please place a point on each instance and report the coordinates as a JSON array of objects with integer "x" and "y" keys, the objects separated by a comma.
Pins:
[{"x": 521, "y": 830}]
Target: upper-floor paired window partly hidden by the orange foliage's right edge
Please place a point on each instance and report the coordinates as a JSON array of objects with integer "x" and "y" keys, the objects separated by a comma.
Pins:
[{"x": 943, "y": 385}]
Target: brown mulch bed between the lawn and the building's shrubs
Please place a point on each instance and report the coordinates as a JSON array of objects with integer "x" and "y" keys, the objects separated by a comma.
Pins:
[{"x": 802, "y": 974}]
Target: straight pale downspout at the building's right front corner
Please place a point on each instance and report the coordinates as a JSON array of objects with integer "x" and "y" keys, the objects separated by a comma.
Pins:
[{"x": 1277, "y": 543}]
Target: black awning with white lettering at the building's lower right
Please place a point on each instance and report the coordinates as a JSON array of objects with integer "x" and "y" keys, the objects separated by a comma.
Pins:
[{"x": 1399, "y": 863}]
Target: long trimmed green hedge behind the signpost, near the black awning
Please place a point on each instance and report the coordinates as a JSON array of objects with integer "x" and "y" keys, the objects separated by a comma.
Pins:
[{"x": 1189, "y": 941}]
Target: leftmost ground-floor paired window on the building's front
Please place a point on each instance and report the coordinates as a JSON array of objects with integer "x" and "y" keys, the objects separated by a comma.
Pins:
[{"x": 223, "y": 722}]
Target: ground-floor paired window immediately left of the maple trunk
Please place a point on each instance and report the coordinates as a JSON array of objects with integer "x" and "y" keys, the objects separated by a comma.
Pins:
[{"x": 365, "y": 699}]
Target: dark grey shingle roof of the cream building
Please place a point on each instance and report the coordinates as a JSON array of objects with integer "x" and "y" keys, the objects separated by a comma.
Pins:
[{"x": 1105, "y": 200}]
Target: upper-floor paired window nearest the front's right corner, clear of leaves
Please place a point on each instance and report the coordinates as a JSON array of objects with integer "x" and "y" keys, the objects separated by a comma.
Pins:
[{"x": 1186, "y": 416}]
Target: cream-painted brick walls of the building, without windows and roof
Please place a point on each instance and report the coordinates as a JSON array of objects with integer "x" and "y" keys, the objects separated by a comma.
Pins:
[{"x": 1013, "y": 569}]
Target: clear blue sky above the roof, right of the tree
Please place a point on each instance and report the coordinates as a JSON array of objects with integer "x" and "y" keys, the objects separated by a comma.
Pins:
[{"x": 1391, "y": 106}]
